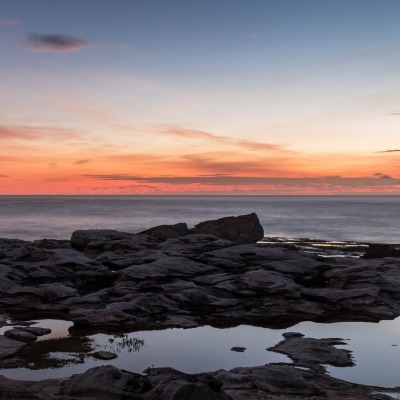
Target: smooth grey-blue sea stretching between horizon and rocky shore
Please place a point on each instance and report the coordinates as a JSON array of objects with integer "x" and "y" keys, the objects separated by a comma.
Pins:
[{"x": 359, "y": 218}]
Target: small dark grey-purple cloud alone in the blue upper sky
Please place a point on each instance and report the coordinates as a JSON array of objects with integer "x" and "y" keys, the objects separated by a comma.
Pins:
[{"x": 55, "y": 43}]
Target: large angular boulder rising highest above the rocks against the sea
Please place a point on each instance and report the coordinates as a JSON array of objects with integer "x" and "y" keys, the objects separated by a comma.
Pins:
[{"x": 242, "y": 229}]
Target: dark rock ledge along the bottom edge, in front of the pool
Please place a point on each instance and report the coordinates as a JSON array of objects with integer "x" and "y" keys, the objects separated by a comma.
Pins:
[{"x": 267, "y": 382}]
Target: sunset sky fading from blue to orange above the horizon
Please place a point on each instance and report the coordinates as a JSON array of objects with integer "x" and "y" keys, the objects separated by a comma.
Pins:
[{"x": 244, "y": 97}]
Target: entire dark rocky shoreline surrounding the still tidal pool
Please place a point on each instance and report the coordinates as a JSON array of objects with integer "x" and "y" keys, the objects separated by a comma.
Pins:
[{"x": 218, "y": 273}]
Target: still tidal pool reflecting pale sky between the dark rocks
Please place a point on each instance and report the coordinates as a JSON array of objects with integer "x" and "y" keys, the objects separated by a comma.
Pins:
[{"x": 375, "y": 347}]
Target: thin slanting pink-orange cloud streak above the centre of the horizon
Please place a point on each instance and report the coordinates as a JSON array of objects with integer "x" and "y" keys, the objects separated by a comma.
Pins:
[{"x": 202, "y": 135}]
